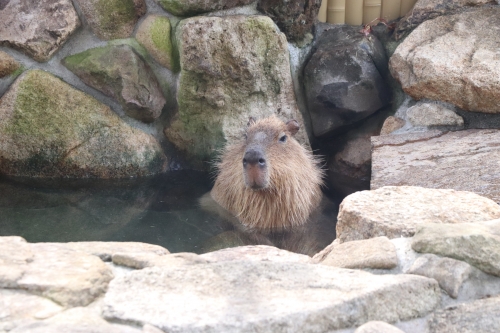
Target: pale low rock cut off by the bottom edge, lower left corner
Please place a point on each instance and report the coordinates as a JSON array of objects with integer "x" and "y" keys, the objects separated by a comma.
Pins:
[{"x": 75, "y": 320}]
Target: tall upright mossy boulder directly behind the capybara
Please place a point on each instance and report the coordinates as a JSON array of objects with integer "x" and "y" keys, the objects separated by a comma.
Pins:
[{"x": 243, "y": 71}]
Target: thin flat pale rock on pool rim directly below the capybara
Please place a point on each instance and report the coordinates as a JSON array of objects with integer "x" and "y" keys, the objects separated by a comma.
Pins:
[{"x": 255, "y": 253}]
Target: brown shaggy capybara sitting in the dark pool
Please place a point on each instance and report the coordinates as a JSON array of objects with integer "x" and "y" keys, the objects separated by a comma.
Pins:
[{"x": 267, "y": 179}]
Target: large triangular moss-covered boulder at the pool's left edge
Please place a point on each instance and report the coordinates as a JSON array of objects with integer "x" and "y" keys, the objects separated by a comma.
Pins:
[{"x": 44, "y": 135}]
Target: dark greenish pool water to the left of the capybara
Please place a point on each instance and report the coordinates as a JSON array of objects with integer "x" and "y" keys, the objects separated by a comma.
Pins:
[{"x": 161, "y": 210}]
